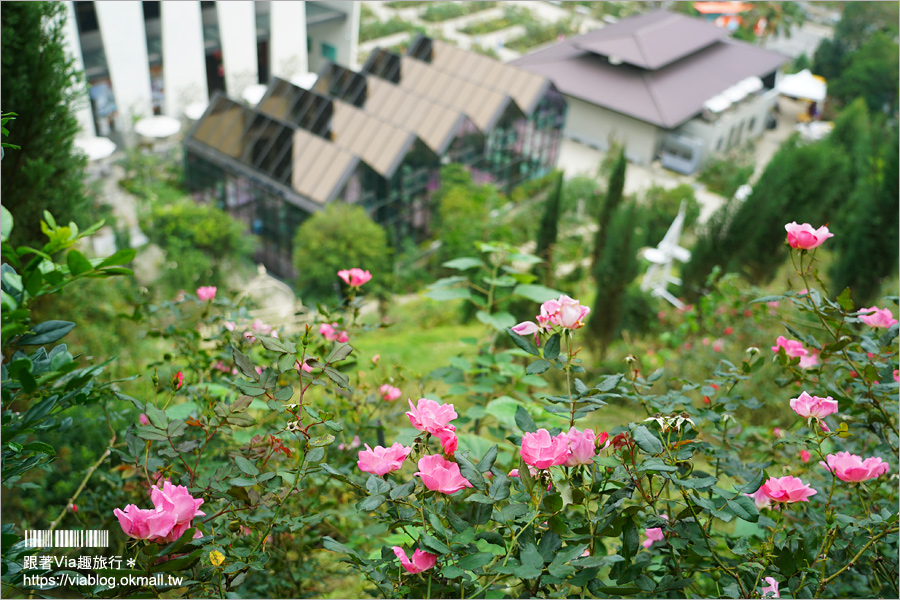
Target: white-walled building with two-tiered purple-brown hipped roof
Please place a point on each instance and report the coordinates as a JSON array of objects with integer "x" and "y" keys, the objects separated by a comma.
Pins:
[{"x": 663, "y": 85}]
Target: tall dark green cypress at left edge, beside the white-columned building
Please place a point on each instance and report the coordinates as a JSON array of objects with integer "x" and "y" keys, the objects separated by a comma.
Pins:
[{"x": 40, "y": 84}]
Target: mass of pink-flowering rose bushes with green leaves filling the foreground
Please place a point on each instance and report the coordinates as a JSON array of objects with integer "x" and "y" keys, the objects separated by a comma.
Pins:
[{"x": 511, "y": 475}]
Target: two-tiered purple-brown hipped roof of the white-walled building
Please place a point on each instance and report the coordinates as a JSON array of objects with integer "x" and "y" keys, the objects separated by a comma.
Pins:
[{"x": 667, "y": 96}]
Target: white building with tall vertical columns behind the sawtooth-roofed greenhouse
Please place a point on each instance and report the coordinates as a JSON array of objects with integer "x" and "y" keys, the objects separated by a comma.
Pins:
[{"x": 144, "y": 58}]
